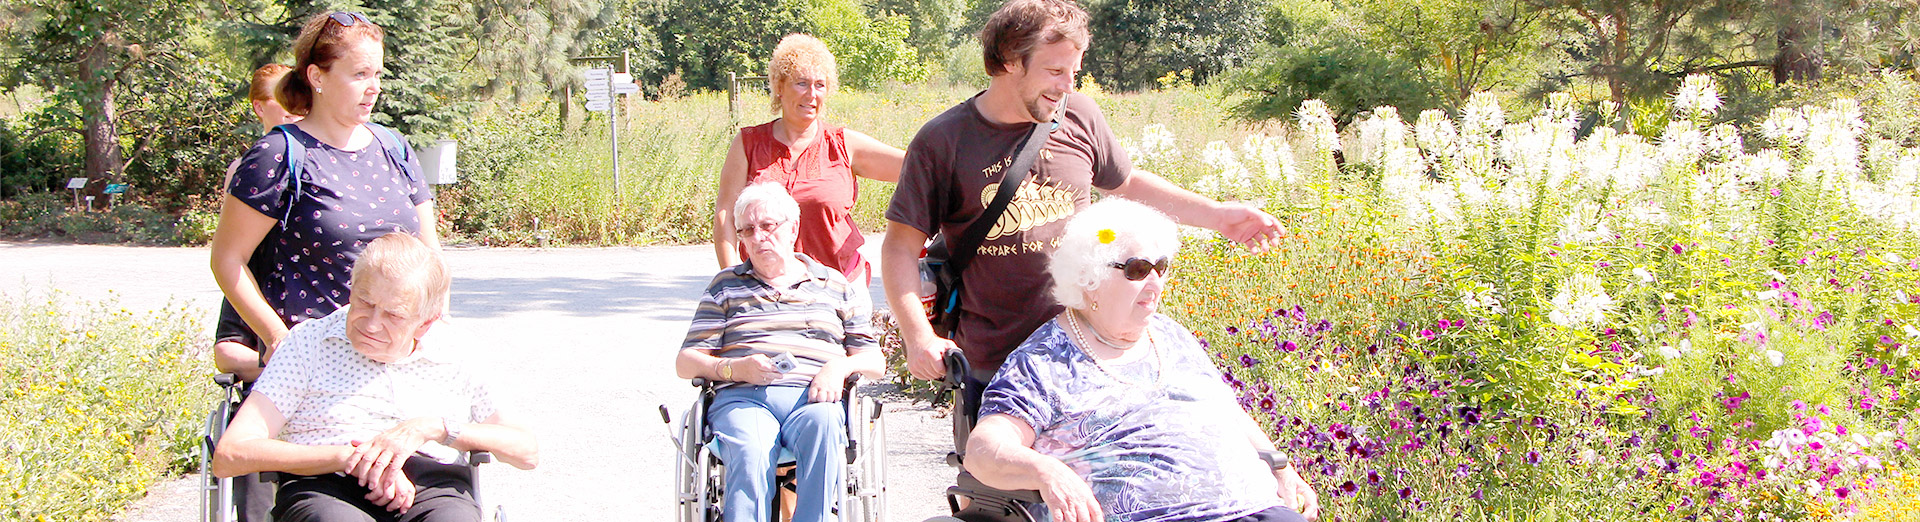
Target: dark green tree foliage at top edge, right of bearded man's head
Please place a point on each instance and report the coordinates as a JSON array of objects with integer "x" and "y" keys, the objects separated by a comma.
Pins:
[{"x": 1140, "y": 41}]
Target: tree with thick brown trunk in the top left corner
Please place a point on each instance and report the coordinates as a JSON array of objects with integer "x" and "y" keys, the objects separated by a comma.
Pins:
[{"x": 82, "y": 53}]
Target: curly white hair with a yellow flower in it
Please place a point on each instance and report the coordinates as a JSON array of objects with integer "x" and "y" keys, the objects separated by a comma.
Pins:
[{"x": 1105, "y": 233}]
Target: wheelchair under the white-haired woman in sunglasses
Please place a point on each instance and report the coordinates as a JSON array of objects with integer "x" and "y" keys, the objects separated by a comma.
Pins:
[{"x": 986, "y": 504}]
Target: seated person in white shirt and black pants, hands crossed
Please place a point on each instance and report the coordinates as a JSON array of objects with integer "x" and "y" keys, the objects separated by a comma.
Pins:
[{"x": 366, "y": 414}]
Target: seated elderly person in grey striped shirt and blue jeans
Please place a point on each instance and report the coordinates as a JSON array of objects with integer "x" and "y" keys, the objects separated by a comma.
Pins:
[{"x": 779, "y": 337}]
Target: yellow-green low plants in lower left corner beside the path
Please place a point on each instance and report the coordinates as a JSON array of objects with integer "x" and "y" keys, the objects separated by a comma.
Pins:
[{"x": 97, "y": 404}]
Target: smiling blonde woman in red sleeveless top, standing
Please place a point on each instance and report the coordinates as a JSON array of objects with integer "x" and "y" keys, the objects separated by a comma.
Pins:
[{"x": 817, "y": 162}]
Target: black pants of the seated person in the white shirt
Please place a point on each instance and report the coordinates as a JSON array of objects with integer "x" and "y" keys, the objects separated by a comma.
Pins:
[{"x": 444, "y": 496}]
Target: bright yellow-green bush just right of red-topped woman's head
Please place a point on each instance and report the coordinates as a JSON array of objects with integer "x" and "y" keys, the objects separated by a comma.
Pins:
[{"x": 869, "y": 51}]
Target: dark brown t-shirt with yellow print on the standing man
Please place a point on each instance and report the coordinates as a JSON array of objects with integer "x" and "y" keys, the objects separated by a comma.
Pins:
[{"x": 953, "y": 172}]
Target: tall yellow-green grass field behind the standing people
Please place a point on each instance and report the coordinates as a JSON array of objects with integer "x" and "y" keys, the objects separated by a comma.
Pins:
[{"x": 519, "y": 164}]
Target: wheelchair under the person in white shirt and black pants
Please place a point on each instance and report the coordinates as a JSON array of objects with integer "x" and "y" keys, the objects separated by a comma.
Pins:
[{"x": 218, "y": 502}]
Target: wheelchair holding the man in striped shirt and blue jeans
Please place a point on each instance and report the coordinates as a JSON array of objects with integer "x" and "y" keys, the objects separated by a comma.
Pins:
[{"x": 700, "y": 475}]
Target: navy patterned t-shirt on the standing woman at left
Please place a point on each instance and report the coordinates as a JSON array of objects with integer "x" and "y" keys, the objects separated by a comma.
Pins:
[{"x": 347, "y": 201}]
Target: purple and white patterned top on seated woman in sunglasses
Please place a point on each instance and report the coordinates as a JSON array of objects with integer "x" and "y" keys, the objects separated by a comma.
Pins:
[{"x": 1161, "y": 442}]
